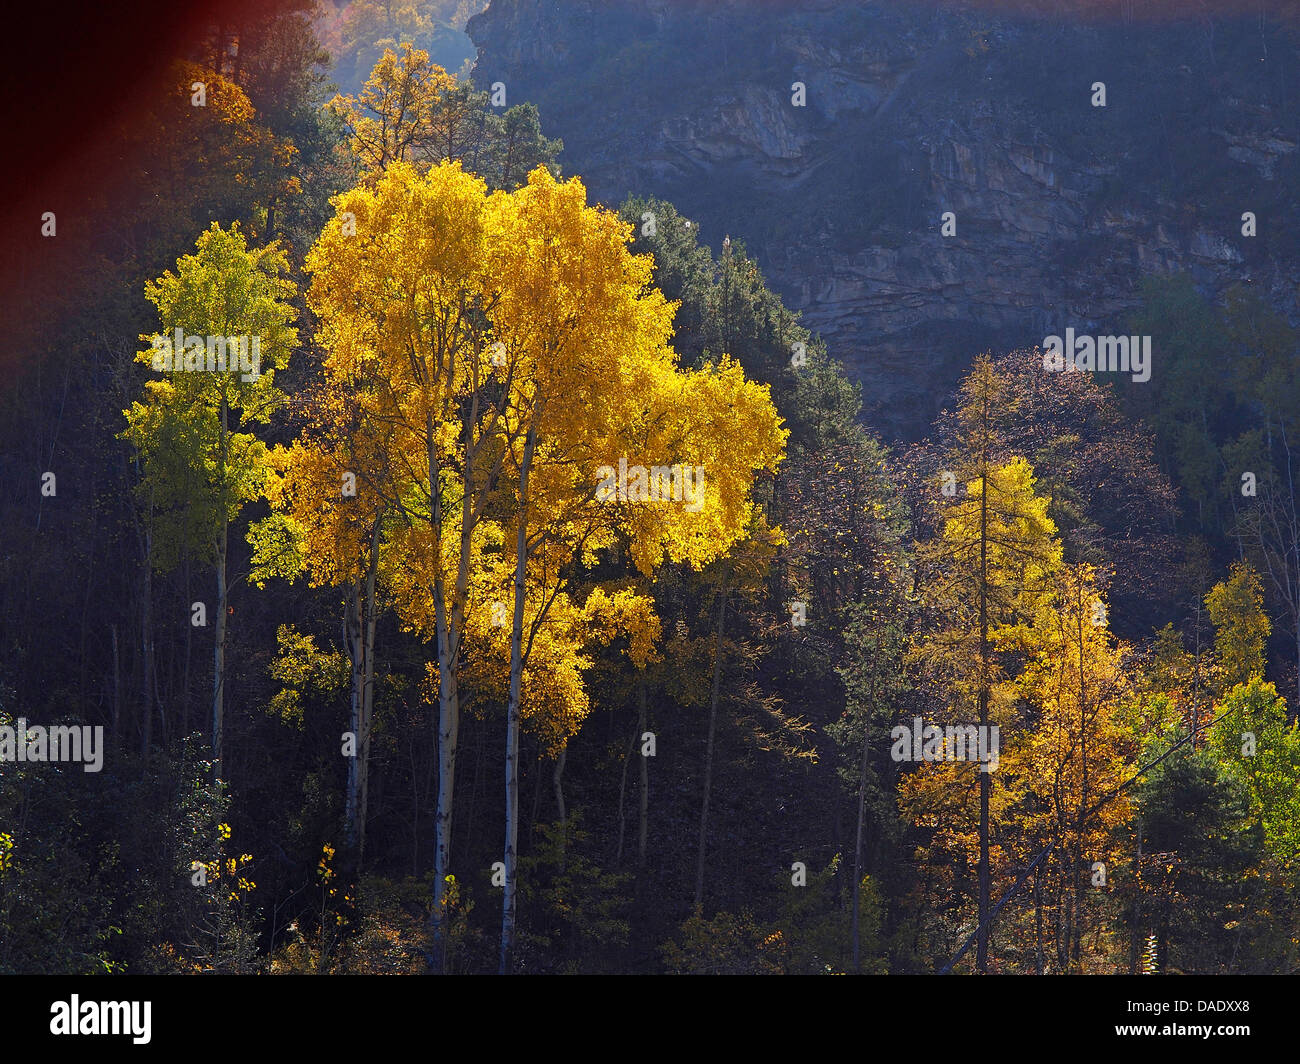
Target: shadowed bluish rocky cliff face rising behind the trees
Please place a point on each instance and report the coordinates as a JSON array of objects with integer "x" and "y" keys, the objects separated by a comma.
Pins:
[{"x": 913, "y": 110}]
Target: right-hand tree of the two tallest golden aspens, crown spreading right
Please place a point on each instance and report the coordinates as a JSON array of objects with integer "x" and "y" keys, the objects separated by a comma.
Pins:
[{"x": 595, "y": 393}]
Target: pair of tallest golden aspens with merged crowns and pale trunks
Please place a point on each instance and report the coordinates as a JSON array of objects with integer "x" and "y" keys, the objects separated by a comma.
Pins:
[{"x": 510, "y": 352}]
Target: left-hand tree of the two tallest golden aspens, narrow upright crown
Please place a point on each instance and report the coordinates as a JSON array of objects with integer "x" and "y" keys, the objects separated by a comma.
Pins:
[{"x": 401, "y": 291}]
